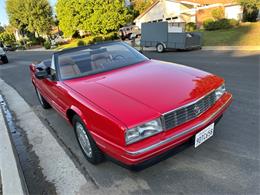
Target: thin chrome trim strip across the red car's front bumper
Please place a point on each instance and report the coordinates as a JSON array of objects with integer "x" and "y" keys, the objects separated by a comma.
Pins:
[{"x": 134, "y": 153}]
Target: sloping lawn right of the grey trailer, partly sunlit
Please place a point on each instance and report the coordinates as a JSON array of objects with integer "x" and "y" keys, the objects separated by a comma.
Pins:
[{"x": 247, "y": 34}]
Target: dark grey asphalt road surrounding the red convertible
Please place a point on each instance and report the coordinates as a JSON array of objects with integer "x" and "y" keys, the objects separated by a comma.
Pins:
[{"x": 228, "y": 163}]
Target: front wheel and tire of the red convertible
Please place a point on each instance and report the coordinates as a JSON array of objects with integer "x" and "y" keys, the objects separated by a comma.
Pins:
[{"x": 87, "y": 144}]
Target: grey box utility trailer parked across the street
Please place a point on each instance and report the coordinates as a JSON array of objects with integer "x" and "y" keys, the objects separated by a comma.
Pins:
[{"x": 161, "y": 35}]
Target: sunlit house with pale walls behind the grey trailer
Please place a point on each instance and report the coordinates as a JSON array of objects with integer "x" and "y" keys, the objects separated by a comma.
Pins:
[{"x": 184, "y": 11}]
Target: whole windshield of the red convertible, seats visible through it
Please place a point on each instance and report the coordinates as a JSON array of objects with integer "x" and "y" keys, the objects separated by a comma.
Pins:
[{"x": 95, "y": 59}]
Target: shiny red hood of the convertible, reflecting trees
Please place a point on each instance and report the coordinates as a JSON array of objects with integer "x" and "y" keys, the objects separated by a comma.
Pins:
[{"x": 141, "y": 92}]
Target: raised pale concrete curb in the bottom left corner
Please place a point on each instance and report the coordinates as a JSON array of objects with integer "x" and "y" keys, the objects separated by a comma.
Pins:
[{"x": 12, "y": 178}]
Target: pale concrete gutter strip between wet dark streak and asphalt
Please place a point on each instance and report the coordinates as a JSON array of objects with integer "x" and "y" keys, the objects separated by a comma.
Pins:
[{"x": 57, "y": 167}]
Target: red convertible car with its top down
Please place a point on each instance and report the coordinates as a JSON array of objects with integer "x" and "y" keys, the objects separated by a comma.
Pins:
[{"x": 127, "y": 106}]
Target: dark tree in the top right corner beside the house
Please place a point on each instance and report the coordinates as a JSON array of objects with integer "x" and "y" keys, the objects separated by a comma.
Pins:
[{"x": 250, "y": 9}]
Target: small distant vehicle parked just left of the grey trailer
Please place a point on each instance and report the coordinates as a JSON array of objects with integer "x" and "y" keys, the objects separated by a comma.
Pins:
[{"x": 127, "y": 32}]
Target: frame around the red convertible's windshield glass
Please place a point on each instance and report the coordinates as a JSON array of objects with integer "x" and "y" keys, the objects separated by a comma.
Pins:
[{"x": 92, "y": 46}]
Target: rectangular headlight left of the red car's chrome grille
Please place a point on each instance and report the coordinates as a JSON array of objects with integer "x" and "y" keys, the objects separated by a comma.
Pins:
[{"x": 142, "y": 131}]
